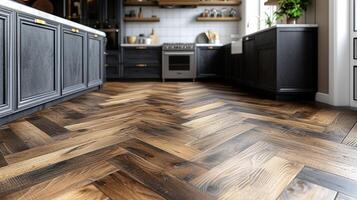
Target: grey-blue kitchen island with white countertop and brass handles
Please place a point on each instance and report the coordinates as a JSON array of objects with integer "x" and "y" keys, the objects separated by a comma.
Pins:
[{"x": 46, "y": 60}]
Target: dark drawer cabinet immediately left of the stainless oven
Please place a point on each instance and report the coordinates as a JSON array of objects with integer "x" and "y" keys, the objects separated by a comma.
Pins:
[{"x": 142, "y": 62}]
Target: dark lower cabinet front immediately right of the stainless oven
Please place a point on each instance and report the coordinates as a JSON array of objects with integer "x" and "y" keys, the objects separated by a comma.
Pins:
[{"x": 210, "y": 62}]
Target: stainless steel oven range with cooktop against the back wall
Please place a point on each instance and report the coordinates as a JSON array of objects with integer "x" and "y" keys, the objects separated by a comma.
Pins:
[{"x": 179, "y": 61}]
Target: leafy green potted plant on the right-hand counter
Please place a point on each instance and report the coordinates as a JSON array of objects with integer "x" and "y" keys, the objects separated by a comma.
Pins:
[{"x": 292, "y": 9}]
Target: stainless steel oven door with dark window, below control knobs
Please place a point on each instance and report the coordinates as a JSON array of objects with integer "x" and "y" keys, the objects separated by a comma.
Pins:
[{"x": 179, "y": 65}]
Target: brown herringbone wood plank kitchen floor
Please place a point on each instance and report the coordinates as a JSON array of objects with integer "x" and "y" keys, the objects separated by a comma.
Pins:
[{"x": 179, "y": 141}]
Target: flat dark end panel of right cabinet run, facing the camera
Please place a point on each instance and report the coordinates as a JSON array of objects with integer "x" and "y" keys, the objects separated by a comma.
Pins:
[{"x": 297, "y": 65}]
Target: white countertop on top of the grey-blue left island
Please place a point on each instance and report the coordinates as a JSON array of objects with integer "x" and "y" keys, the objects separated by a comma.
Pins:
[{"x": 26, "y": 9}]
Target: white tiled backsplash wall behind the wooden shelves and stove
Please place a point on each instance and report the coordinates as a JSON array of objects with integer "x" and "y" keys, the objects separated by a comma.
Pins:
[{"x": 180, "y": 25}]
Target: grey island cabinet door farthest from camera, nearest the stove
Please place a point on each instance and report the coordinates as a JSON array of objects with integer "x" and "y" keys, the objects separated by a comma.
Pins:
[{"x": 95, "y": 60}]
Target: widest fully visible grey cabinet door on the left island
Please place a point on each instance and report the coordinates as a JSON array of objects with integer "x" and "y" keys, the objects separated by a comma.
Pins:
[{"x": 38, "y": 65}]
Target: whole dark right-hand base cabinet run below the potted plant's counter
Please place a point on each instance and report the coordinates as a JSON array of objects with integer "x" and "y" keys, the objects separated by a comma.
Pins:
[{"x": 282, "y": 62}]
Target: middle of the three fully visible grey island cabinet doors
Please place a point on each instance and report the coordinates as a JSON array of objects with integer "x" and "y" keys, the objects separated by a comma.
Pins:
[{"x": 74, "y": 68}]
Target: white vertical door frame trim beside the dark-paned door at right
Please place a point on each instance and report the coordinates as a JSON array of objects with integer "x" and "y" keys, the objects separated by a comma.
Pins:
[{"x": 339, "y": 53}]
